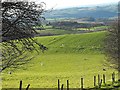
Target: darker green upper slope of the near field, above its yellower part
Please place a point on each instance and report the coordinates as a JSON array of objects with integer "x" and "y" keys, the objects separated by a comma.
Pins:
[{"x": 74, "y": 43}]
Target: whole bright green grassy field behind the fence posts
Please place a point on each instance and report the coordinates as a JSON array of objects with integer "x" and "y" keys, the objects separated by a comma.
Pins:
[{"x": 68, "y": 57}]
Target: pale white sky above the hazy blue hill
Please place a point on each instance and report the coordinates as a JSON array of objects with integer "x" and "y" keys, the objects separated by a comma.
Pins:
[{"x": 56, "y": 4}]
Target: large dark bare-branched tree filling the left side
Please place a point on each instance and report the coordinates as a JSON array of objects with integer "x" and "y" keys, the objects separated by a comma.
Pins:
[{"x": 18, "y": 32}]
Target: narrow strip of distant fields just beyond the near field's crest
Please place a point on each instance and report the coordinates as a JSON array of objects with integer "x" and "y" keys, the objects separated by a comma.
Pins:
[{"x": 49, "y": 30}]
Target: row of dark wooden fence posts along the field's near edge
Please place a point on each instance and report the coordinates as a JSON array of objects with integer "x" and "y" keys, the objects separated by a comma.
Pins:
[{"x": 100, "y": 82}]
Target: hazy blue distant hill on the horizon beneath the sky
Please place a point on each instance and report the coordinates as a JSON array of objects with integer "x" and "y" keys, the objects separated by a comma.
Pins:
[{"x": 103, "y": 11}]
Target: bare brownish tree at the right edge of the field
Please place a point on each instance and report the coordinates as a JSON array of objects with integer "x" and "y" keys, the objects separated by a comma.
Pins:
[{"x": 112, "y": 44}]
